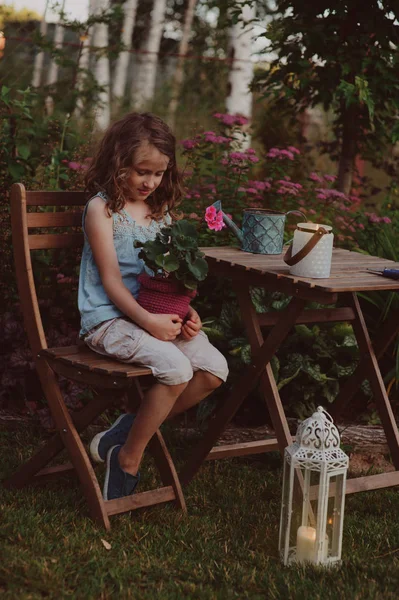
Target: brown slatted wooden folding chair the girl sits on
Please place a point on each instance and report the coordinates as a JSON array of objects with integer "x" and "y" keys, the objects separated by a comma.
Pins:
[{"x": 111, "y": 380}]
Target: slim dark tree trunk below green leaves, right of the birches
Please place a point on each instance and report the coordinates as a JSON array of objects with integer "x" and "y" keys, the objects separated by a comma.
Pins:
[{"x": 348, "y": 150}]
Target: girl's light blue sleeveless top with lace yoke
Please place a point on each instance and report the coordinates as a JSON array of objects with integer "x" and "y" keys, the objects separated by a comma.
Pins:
[{"x": 94, "y": 304}]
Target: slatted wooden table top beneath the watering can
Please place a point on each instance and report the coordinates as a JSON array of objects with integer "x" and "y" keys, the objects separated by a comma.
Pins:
[{"x": 348, "y": 270}]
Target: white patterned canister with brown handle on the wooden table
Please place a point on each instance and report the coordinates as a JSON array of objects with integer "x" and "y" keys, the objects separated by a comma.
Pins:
[{"x": 317, "y": 263}]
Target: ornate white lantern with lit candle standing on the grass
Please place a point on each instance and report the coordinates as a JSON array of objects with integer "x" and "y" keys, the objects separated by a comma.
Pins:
[{"x": 313, "y": 500}]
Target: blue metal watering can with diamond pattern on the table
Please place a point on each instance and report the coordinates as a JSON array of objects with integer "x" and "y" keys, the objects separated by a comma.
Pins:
[{"x": 262, "y": 229}]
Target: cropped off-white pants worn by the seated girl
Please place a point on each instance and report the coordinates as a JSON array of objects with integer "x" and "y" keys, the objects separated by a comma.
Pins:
[{"x": 171, "y": 363}]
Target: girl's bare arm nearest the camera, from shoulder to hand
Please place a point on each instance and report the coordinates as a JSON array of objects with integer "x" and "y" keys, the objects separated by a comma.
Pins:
[{"x": 99, "y": 230}]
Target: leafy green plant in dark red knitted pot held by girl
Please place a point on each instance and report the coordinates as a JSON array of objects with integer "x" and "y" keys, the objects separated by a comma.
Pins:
[{"x": 177, "y": 265}]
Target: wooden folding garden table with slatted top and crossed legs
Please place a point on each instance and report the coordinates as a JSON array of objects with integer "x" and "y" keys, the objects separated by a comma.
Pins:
[{"x": 348, "y": 276}]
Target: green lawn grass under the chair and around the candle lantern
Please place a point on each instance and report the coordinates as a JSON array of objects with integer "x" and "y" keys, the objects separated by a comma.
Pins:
[{"x": 225, "y": 548}]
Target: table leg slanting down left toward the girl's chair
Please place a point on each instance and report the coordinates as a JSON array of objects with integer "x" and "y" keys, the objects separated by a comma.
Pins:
[{"x": 243, "y": 387}]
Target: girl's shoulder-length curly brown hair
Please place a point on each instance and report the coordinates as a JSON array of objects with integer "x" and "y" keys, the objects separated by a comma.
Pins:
[{"x": 113, "y": 162}]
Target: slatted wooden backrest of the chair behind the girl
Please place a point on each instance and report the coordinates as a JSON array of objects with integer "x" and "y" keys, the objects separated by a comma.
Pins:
[{"x": 30, "y": 232}]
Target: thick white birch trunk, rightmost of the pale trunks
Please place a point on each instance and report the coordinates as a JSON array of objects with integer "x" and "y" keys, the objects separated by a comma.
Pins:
[{"x": 239, "y": 100}]
